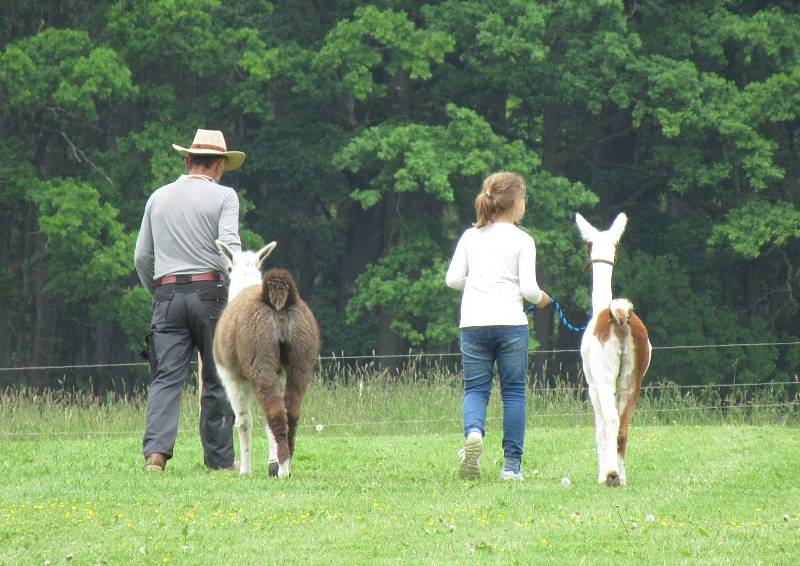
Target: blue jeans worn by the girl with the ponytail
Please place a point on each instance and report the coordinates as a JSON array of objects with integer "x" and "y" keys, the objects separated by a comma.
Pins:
[{"x": 481, "y": 347}]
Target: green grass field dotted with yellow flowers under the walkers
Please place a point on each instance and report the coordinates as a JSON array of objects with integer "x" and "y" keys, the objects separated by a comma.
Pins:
[{"x": 705, "y": 486}]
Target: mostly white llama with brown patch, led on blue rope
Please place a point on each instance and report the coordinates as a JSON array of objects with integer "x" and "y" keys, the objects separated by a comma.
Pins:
[{"x": 616, "y": 353}]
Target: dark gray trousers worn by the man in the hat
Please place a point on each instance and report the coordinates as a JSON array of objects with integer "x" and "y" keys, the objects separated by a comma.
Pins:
[{"x": 184, "y": 318}]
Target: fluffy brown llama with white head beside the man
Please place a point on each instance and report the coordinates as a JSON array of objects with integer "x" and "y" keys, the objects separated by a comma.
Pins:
[{"x": 265, "y": 327}]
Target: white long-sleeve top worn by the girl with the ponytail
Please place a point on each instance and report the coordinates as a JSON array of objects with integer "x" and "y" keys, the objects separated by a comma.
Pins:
[{"x": 496, "y": 268}]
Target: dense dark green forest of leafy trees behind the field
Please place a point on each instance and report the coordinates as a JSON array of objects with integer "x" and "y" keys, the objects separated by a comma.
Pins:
[{"x": 369, "y": 127}]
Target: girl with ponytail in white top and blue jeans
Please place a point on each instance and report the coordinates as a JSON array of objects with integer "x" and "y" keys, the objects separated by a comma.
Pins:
[{"x": 495, "y": 265}]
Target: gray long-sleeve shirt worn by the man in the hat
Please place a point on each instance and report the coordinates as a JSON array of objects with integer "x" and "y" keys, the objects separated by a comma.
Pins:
[{"x": 181, "y": 221}]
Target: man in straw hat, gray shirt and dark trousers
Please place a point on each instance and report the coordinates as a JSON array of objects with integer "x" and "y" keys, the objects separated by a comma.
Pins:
[{"x": 178, "y": 263}]
